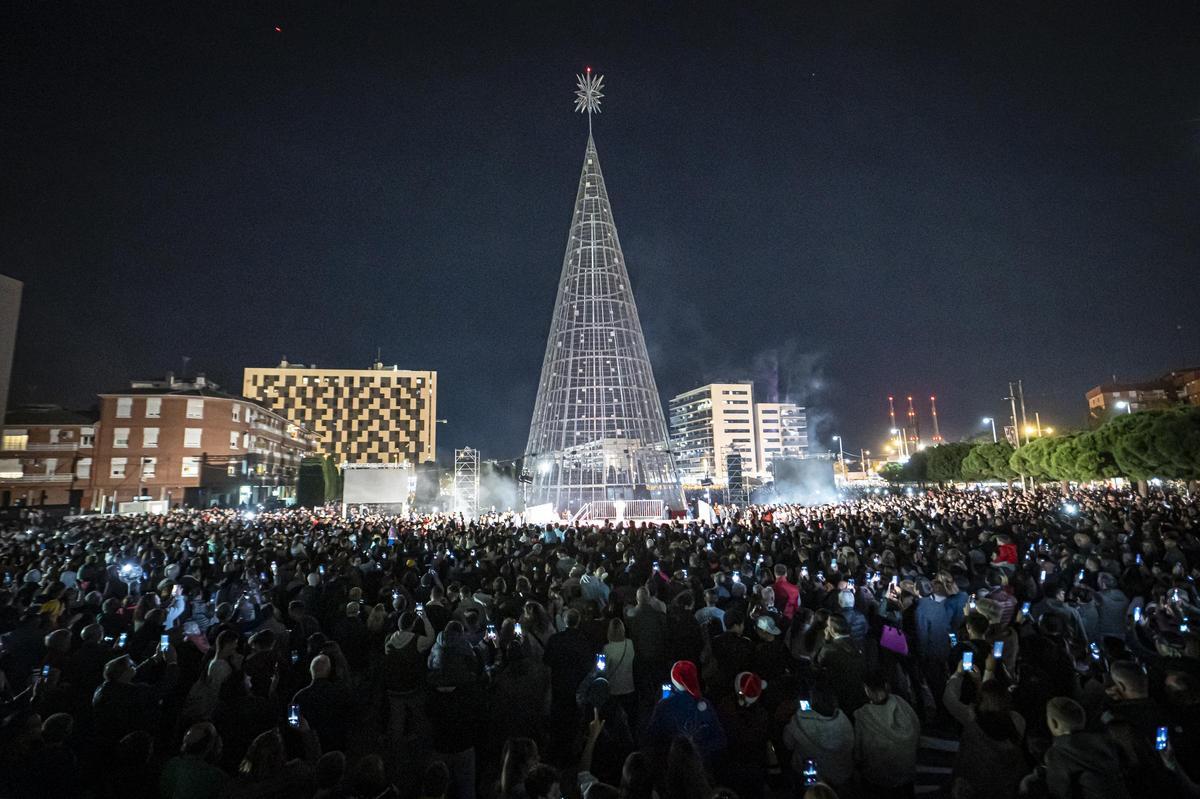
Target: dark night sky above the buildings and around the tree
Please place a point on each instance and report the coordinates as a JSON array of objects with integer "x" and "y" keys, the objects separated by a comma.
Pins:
[{"x": 885, "y": 197}]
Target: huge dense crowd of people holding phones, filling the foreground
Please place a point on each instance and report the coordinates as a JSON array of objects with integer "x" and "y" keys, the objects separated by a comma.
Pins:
[{"x": 781, "y": 652}]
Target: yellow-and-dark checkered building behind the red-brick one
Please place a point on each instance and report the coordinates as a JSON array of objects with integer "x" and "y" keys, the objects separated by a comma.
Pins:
[{"x": 379, "y": 416}]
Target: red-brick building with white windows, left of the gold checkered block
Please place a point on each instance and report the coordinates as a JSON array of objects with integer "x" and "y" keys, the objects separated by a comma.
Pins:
[{"x": 185, "y": 442}]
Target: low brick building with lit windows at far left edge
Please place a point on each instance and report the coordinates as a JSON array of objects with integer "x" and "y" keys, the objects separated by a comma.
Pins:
[{"x": 46, "y": 458}]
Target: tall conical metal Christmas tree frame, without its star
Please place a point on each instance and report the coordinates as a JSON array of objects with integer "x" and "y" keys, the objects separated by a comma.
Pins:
[{"x": 598, "y": 430}]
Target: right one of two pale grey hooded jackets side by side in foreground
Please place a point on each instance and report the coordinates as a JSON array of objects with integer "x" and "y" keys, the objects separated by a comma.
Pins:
[{"x": 886, "y": 741}]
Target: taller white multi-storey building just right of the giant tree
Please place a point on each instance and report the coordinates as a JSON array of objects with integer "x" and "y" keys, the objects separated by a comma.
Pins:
[{"x": 707, "y": 425}]
